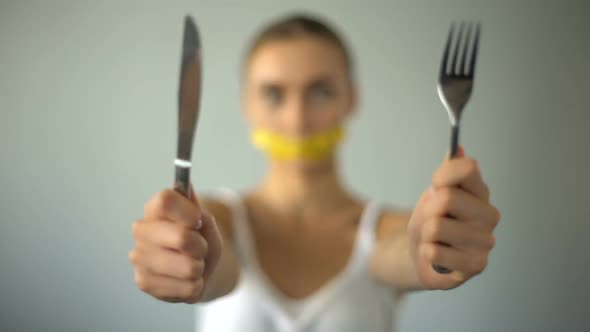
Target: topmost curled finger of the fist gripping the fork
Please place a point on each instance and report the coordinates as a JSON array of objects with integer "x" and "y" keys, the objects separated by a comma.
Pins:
[{"x": 462, "y": 172}]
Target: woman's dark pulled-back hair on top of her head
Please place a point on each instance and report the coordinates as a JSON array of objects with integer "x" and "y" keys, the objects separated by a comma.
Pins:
[{"x": 297, "y": 26}]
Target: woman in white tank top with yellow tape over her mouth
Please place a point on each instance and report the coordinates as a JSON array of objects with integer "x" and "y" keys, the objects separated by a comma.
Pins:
[{"x": 300, "y": 252}]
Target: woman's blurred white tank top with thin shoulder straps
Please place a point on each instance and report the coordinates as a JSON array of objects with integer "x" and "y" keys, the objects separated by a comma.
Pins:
[{"x": 350, "y": 301}]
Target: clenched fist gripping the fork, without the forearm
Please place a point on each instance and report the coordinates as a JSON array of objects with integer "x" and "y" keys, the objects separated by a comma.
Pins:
[{"x": 452, "y": 225}]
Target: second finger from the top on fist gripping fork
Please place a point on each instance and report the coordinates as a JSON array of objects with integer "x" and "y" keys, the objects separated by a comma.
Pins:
[{"x": 463, "y": 206}]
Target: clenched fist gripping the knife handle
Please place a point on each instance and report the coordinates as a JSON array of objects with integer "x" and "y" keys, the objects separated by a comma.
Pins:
[{"x": 177, "y": 246}]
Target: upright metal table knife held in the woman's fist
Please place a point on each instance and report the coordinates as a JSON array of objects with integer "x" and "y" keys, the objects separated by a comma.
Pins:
[{"x": 189, "y": 97}]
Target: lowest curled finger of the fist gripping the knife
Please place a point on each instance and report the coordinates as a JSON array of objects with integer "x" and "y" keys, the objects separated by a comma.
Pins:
[{"x": 167, "y": 288}]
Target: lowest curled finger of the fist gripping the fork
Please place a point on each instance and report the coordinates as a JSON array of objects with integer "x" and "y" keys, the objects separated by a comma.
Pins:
[{"x": 469, "y": 263}]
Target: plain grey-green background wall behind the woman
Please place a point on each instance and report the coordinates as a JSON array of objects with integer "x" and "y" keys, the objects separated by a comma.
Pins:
[{"x": 87, "y": 134}]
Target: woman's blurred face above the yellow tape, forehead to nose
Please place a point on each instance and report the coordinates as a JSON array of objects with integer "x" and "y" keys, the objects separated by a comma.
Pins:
[{"x": 297, "y": 87}]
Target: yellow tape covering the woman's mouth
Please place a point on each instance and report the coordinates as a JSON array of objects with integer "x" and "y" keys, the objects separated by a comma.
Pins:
[{"x": 313, "y": 147}]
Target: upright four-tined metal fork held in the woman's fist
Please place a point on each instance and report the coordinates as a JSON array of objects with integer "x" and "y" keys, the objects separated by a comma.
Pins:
[{"x": 455, "y": 83}]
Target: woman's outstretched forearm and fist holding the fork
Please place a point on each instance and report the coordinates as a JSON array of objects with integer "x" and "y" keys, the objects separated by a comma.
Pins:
[{"x": 451, "y": 226}]
